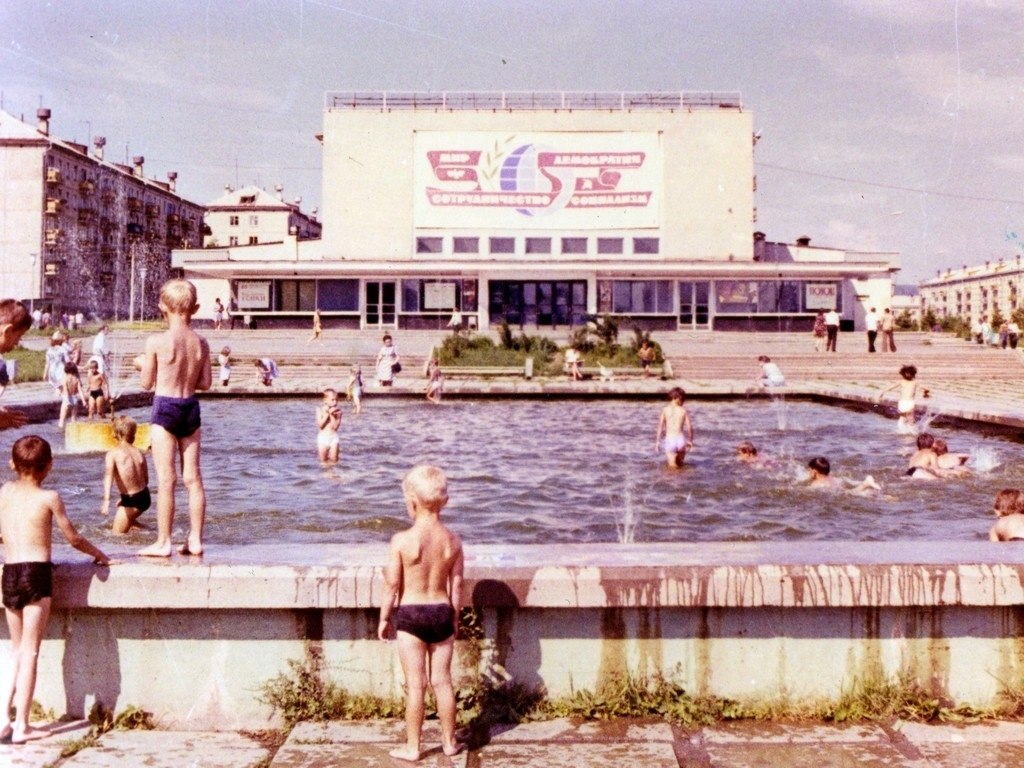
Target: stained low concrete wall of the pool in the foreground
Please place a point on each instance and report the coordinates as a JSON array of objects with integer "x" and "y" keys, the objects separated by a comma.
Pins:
[{"x": 194, "y": 641}]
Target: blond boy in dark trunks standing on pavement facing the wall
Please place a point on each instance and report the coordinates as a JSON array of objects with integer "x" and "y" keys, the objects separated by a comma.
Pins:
[{"x": 421, "y": 607}]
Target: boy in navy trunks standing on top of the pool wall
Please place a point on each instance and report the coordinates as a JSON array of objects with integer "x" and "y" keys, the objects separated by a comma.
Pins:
[{"x": 177, "y": 364}]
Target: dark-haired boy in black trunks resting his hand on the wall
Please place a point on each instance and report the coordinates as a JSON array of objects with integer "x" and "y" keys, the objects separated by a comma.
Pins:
[{"x": 27, "y": 517}]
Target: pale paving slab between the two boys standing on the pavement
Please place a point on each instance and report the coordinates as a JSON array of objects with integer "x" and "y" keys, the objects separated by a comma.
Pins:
[{"x": 170, "y": 750}]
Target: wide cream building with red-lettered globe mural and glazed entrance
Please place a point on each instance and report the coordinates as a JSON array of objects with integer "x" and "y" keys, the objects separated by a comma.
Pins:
[{"x": 540, "y": 210}]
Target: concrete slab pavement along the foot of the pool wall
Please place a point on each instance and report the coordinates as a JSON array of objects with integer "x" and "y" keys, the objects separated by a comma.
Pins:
[{"x": 552, "y": 744}]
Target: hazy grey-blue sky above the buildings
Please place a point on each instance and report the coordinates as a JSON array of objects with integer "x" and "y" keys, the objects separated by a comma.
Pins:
[{"x": 887, "y": 125}]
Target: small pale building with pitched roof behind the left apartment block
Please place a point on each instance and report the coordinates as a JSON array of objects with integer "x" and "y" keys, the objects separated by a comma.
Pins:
[{"x": 251, "y": 217}]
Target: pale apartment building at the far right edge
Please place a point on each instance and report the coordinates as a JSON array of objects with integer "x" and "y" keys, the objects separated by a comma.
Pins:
[{"x": 972, "y": 293}]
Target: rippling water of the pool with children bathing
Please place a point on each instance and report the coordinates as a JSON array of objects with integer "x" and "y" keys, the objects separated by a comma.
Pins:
[{"x": 530, "y": 472}]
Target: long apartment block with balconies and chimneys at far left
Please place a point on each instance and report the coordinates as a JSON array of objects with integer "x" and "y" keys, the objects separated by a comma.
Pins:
[{"x": 79, "y": 233}]
